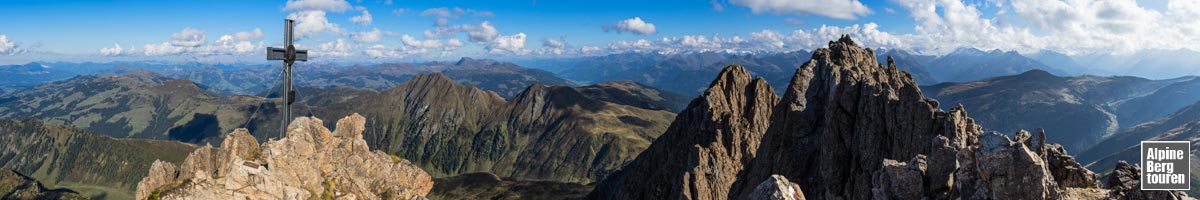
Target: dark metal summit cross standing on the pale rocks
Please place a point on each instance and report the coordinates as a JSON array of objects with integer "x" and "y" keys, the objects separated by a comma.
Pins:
[{"x": 290, "y": 56}]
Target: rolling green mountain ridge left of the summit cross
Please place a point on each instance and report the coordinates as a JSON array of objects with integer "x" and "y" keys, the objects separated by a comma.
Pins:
[{"x": 140, "y": 105}]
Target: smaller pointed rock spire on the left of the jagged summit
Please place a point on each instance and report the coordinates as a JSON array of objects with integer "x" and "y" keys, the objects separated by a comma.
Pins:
[{"x": 709, "y": 144}]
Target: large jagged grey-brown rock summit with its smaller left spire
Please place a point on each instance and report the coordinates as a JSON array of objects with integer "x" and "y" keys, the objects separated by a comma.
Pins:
[{"x": 848, "y": 128}]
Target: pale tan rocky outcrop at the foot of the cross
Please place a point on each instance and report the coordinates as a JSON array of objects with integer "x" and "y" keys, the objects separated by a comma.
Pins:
[{"x": 311, "y": 162}]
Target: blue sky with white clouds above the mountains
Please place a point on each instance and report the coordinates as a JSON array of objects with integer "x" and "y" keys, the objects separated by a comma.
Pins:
[{"x": 148, "y": 31}]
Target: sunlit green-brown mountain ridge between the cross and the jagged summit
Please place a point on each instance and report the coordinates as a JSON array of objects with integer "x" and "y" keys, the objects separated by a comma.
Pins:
[{"x": 545, "y": 132}]
